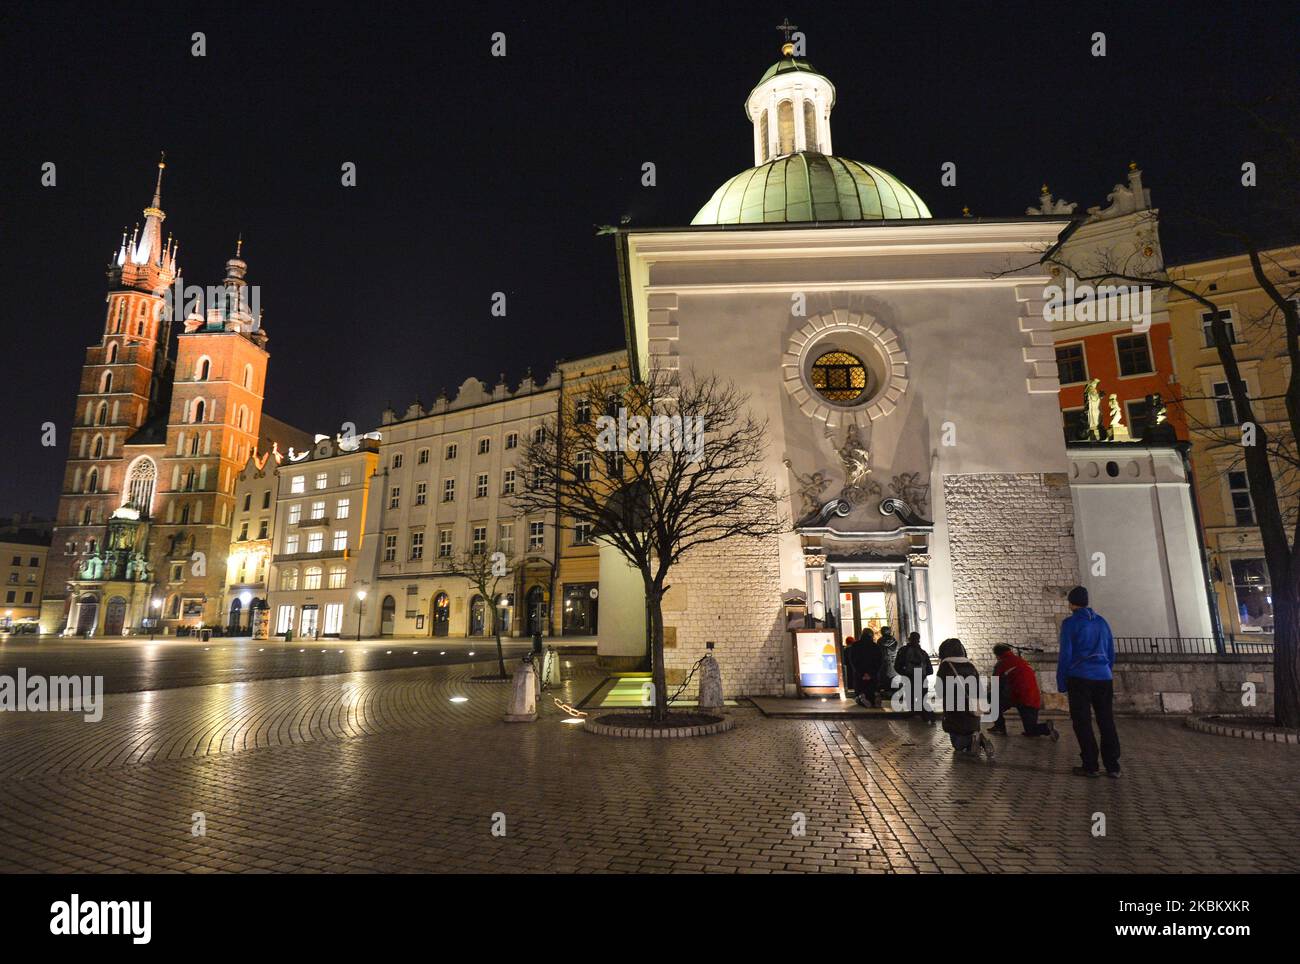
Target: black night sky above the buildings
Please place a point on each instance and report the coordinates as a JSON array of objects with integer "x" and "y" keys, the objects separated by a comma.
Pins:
[{"x": 480, "y": 175}]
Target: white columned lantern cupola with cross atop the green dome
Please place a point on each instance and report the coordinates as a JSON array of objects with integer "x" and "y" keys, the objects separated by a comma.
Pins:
[{"x": 791, "y": 110}]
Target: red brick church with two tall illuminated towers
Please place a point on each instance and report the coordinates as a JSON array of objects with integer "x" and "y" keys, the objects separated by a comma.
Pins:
[{"x": 144, "y": 520}]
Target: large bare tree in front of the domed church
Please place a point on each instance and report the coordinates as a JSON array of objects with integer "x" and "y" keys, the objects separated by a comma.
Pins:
[{"x": 656, "y": 468}]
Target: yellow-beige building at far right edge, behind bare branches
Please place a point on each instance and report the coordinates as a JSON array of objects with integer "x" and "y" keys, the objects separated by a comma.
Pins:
[{"x": 1238, "y": 574}]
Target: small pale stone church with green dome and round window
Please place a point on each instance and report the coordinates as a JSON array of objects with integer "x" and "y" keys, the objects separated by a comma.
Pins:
[{"x": 907, "y": 368}]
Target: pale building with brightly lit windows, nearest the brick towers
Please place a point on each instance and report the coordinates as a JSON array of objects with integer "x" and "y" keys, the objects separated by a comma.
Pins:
[{"x": 319, "y": 526}]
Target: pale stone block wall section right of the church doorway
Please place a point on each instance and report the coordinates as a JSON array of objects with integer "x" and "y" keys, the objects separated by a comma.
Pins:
[{"x": 1011, "y": 541}]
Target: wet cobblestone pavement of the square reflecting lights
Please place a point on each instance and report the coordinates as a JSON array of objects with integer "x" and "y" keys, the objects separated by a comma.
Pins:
[{"x": 382, "y": 771}]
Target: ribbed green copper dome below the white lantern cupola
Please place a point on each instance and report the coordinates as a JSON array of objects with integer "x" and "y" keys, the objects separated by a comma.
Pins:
[{"x": 808, "y": 186}]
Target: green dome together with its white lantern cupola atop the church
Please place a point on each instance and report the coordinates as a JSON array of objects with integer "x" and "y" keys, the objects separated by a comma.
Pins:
[{"x": 796, "y": 177}]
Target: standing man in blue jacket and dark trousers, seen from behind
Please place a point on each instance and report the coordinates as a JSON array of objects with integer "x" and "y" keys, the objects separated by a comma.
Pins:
[{"x": 1085, "y": 674}]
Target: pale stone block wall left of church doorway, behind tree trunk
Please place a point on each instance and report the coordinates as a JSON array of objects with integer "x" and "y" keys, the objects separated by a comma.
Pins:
[{"x": 730, "y": 594}]
